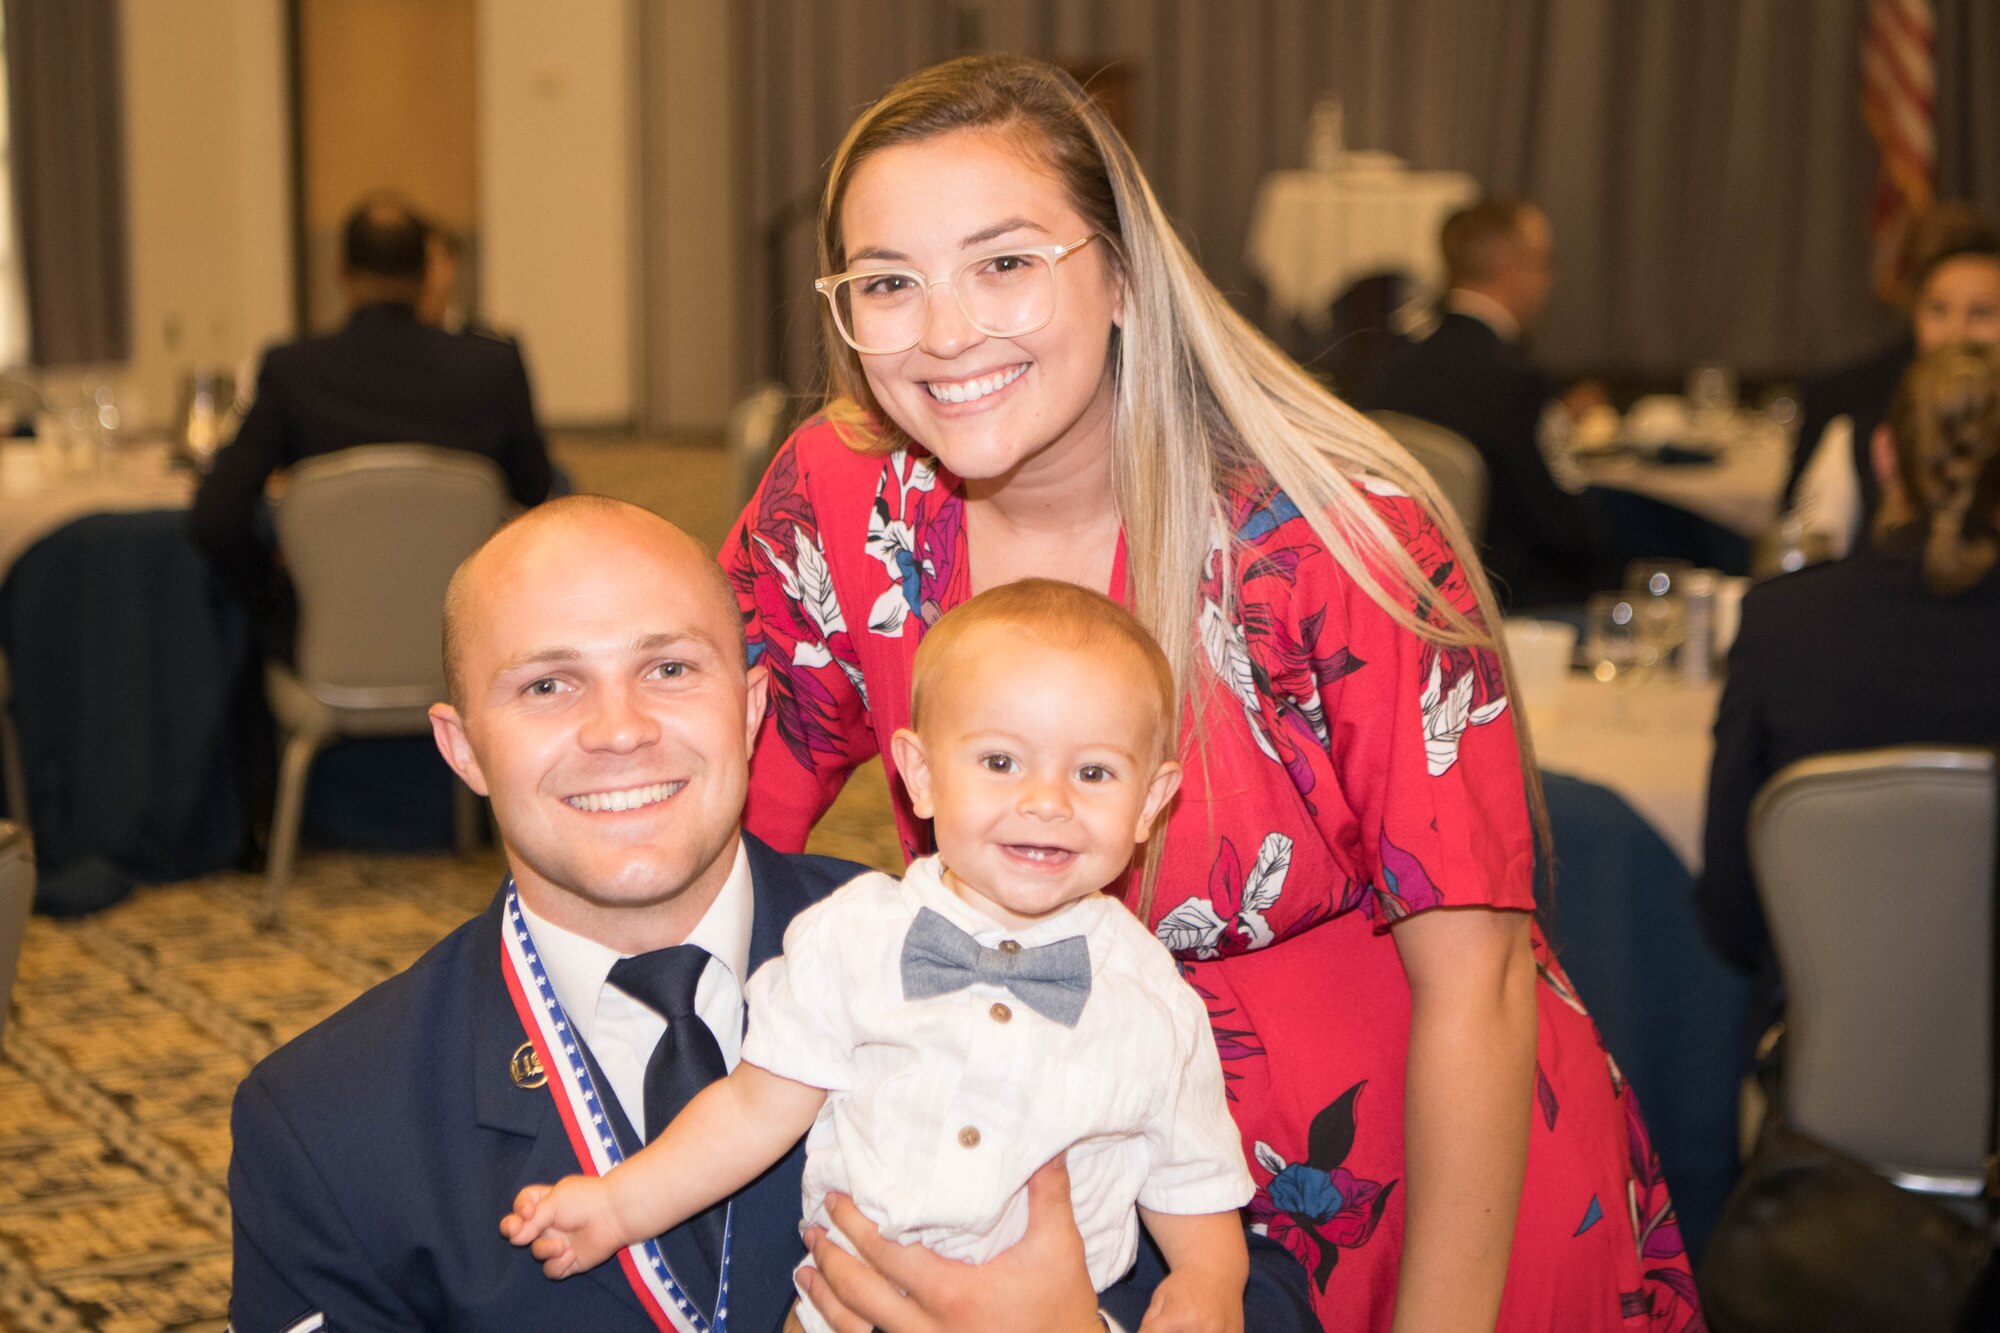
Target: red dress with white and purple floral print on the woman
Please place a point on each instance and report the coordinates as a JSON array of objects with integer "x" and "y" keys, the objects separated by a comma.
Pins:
[{"x": 1351, "y": 776}]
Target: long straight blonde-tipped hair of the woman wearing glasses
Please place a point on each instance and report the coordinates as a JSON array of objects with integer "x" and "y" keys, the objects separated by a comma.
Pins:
[{"x": 1201, "y": 395}]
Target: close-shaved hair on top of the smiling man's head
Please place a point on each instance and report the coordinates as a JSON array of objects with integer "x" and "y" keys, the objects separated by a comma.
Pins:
[{"x": 545, "y": 533}]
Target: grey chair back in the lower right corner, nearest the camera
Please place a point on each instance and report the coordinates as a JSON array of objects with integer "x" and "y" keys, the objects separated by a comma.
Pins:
[{"x": 1877, "y": 874}]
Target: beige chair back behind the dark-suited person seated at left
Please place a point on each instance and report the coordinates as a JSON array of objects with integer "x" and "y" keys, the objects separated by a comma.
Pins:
[{"x": 371, "y": 537}]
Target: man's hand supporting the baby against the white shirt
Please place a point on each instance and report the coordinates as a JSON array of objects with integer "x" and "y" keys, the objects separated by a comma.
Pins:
[{"x": 1039, "y": 1284}]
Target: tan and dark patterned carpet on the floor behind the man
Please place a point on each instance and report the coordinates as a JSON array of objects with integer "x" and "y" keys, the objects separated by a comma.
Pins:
[{"x": 131, "y": 1030}]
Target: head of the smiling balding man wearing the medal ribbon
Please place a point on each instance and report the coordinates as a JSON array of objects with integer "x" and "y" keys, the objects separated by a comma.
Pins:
[{"x": 603, "y": 706}]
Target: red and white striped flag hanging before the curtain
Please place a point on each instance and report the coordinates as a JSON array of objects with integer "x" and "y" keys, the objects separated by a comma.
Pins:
[{"x": 1899, "y": 83}]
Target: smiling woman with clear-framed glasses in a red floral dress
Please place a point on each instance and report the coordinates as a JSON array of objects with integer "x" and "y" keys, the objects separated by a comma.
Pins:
[{"x": 1035, "y": 379}]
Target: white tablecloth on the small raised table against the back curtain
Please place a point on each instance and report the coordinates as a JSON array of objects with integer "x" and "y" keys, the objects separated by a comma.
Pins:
[{"x": 1315, "y": 233}]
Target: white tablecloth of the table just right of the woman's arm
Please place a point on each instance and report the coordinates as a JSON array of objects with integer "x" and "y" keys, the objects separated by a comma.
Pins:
[{"x": 1651, "y": 744}]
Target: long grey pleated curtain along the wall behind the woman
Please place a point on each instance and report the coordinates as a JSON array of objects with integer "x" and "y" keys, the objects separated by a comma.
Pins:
[{"x": 1703, "y": 161}]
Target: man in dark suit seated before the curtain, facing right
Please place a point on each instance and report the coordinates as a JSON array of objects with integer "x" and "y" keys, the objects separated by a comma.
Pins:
[{"x": 1471, "y": 375}]
